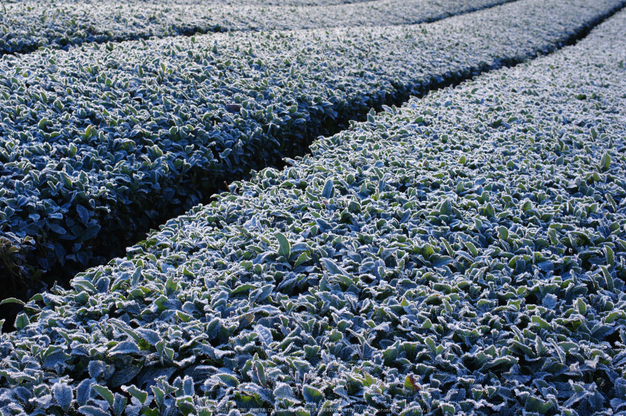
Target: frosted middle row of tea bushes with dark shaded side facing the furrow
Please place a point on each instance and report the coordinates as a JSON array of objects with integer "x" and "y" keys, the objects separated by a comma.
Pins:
[{"x": 102, "y": 142}]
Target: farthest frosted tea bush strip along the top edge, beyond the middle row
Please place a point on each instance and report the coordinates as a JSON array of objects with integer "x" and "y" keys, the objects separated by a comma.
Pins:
[{"x": 29, "y": 25}]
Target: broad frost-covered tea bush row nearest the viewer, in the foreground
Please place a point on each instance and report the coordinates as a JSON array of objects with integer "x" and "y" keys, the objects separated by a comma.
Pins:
[{"x": 462, "y": 254}]
